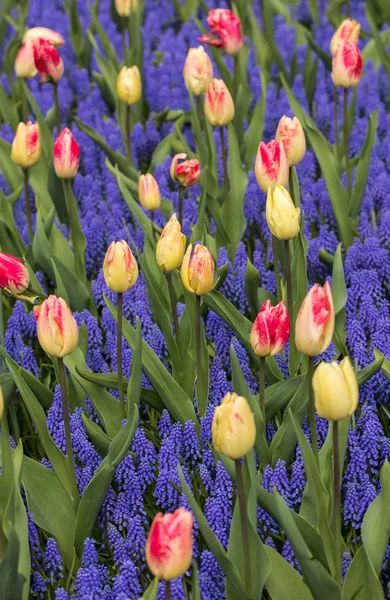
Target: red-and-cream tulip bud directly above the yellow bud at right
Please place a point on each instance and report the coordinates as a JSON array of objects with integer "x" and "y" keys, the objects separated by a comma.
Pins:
[{"x": 271, "y": 166}]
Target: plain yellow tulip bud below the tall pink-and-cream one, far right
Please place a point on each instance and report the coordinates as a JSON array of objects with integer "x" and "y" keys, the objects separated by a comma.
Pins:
[{"x": 336, "y": 390}]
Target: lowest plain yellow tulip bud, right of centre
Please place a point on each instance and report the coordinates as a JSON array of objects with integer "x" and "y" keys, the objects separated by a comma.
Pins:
[{"x": 233, "y": 428}]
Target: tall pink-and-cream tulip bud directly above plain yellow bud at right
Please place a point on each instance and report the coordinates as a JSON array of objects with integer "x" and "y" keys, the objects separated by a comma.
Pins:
[{"x": 315, "y": 322}]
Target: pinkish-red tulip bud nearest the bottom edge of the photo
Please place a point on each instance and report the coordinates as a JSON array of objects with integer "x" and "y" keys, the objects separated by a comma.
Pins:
[{"x": 169, "y": 545}]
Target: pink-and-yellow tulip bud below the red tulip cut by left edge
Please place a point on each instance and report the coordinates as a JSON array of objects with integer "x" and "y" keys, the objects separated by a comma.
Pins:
[{"x": 56, "y": 327}]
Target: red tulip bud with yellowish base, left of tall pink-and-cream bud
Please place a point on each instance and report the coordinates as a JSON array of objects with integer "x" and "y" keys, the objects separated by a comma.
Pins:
[{"x": 271, "y": 329}]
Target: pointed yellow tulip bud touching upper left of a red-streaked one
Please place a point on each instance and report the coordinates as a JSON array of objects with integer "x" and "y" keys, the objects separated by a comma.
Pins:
[{"x": 171, "y": 246}]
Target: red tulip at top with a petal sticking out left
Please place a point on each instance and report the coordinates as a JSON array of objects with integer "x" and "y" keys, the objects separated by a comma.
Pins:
[{"x": 225, "y": 31}]
